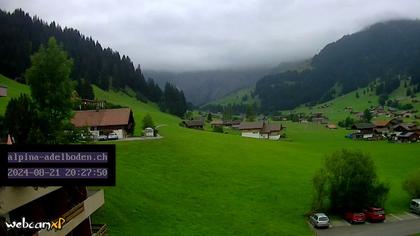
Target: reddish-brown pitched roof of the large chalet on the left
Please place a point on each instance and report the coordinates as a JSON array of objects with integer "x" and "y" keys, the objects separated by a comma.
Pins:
[{"x": 105, "y": 117}]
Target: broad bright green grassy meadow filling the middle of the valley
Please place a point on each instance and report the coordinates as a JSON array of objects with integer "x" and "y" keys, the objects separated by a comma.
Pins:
[{"x": 204, "y": 183}]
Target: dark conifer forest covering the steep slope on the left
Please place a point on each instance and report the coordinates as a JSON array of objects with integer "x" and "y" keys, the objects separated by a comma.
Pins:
[{"x": 22, "y": 35}]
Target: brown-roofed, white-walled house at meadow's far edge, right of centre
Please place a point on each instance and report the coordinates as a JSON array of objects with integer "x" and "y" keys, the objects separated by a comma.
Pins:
[{"x": 261, "y": 129}]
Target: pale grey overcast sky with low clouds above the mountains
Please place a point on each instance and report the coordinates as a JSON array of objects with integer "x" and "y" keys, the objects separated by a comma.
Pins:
[{"x": 212, "y": 34}]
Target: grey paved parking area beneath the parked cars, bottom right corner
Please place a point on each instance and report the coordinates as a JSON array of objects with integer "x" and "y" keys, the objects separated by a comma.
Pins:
[{"x": 395, "y": 224}]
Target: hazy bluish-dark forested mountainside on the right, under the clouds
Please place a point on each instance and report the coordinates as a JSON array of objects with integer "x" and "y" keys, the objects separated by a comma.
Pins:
[{"x": 384, "y": 52}]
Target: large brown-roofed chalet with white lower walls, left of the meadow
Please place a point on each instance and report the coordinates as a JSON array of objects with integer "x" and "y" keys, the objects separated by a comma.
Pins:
[{"x": 119, "y": 121}]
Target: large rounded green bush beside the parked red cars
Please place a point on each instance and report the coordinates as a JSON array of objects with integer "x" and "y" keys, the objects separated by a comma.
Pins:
[{"x": 348, "y": 181}]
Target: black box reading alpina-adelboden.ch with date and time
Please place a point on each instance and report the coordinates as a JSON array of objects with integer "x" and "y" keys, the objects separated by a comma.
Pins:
[{"x": 51, "y": 165}]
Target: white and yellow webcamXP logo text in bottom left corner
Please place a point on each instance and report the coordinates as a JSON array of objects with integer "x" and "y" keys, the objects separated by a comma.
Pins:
[{"x": 23, "y": 224}]
